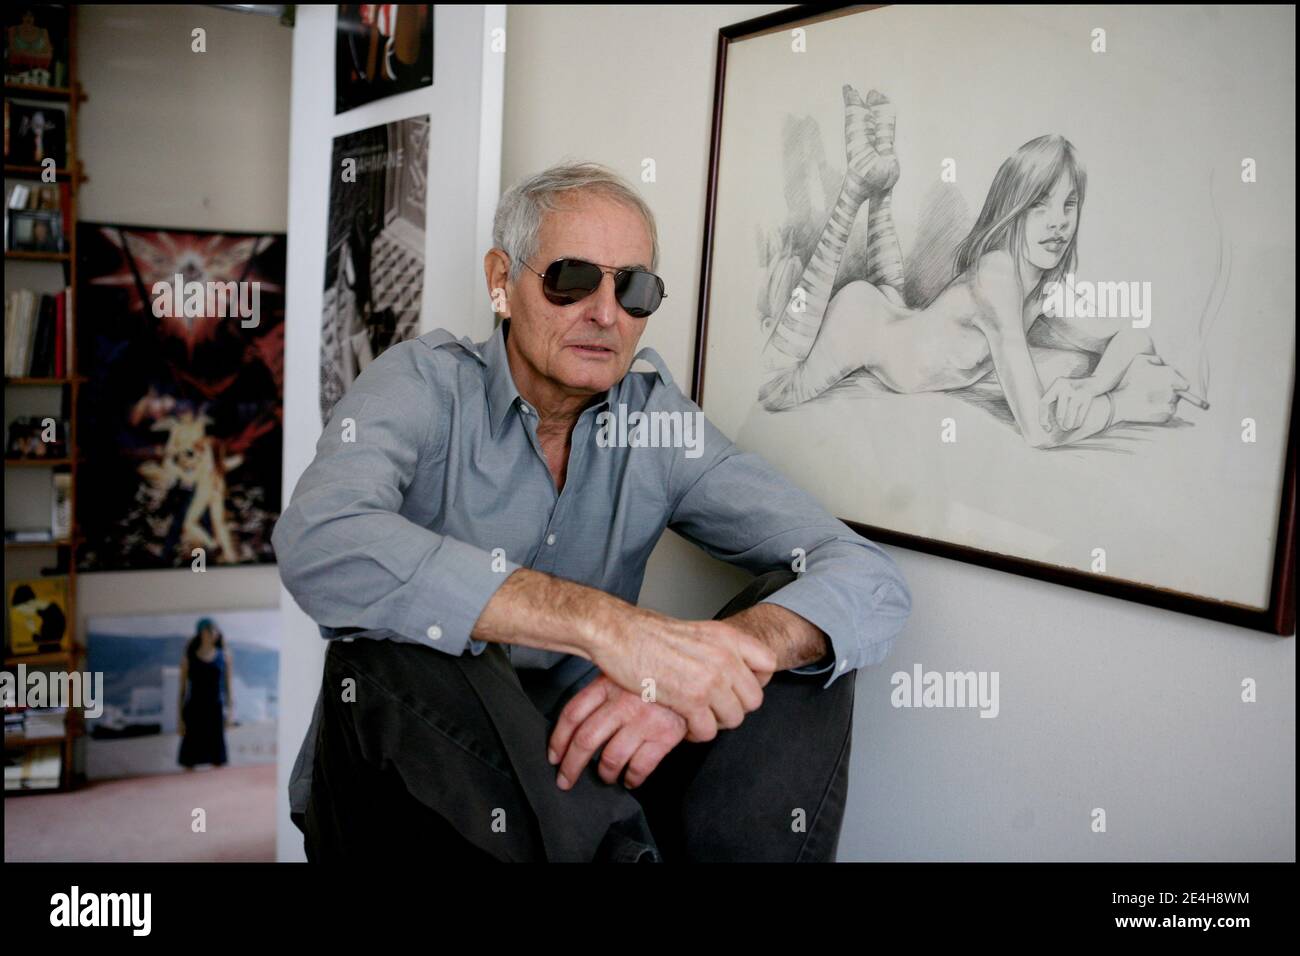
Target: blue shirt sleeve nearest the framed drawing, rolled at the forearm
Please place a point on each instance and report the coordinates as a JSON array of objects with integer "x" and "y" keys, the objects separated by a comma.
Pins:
[{"x": 740, "y": 511}]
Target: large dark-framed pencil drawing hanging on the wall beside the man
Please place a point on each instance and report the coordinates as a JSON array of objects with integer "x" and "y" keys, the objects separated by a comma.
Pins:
[{"x": 1017, "y": 287}]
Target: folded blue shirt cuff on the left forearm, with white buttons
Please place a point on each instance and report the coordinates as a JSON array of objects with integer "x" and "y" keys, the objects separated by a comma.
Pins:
[{"x": 461, "y": 581}]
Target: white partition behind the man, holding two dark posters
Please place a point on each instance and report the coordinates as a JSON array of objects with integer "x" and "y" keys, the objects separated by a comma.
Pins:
[{"x": 465, "y": 103}]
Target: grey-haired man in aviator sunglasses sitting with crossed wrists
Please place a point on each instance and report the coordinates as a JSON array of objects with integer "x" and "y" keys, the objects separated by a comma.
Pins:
[{"x": 509, "y": 699}]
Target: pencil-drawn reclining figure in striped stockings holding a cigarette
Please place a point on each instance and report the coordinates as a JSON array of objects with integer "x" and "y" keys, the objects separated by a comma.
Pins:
[{"x": 1024, "y": 239}]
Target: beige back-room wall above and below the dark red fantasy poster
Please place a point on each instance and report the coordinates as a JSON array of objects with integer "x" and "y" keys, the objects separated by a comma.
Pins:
[{"x": 193, "y": 141}]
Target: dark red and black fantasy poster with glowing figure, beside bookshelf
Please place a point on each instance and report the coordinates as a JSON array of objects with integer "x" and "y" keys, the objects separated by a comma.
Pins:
[{"x": 181, "y": 339}]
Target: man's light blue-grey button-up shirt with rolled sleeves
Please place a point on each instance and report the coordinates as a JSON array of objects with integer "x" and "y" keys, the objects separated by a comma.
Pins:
[{"x": 430, "y": 488}]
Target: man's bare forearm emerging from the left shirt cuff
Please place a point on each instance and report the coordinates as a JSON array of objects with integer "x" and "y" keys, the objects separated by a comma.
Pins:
[{"x": 539, "y": 611}]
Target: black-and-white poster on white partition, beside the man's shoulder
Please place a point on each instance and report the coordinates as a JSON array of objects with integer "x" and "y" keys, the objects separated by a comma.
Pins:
[{"x": 374, "y": 249}]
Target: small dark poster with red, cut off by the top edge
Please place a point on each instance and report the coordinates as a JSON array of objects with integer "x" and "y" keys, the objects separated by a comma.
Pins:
[{"x": 382, "y": 50}]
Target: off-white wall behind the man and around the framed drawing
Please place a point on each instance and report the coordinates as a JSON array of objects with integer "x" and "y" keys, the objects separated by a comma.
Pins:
[{"x": 1103, "y": 703}]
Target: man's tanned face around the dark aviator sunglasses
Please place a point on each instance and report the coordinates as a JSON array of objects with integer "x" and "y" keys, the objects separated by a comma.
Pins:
[{"x": 588, "y": 347}]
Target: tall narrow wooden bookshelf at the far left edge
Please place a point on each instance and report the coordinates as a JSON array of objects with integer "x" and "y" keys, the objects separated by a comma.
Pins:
[{"x": 34, "y": 395}]
